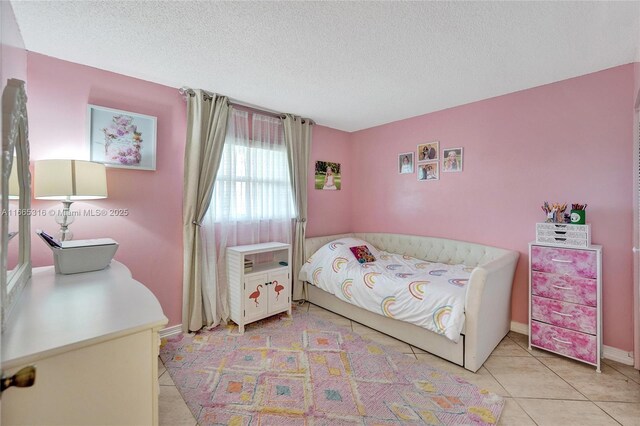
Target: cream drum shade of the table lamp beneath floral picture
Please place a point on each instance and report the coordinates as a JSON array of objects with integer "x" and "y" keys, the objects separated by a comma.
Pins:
[{"x": 69, "y": 180}]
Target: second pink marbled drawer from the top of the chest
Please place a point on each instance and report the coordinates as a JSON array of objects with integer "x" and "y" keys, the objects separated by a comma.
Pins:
[{"x": 564, "y": 287}]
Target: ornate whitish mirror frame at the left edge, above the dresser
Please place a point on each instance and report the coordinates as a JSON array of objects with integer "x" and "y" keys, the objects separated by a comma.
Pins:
[{"x": 15, "y": 138}]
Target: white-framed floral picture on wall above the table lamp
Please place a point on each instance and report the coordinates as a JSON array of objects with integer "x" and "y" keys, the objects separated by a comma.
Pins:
[{"x": 121, "y": 138}]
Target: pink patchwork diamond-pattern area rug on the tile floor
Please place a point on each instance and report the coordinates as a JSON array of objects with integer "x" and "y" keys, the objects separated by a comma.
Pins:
[{"x": 306, "y": 370}]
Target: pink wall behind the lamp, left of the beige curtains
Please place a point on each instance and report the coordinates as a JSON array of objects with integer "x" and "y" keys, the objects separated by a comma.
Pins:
[{"x": 150, "y": 237}]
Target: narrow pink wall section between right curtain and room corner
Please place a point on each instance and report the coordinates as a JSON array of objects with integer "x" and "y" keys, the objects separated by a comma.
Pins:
[{"x": 329, "y": 212}]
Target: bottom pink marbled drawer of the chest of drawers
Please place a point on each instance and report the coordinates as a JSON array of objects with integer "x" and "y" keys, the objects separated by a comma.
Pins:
[{"x": 566, "y": 342}]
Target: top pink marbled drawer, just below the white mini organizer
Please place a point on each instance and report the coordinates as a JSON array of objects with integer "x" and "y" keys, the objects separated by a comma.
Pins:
[{"x": 582, "y": 263}]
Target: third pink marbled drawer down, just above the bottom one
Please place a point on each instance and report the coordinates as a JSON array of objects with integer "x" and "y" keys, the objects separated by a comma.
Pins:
[{"x": 563, "y": 314}]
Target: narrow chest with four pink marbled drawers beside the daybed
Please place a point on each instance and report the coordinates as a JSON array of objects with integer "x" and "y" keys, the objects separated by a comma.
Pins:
[{"x": 565, "y": 306}]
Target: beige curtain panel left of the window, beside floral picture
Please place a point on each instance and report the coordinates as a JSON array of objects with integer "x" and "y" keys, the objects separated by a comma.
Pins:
[{"x": 207, "y": 116}]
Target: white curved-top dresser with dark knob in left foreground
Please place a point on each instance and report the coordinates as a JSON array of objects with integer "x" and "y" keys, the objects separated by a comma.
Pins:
[{"x": 93, "y": 338}]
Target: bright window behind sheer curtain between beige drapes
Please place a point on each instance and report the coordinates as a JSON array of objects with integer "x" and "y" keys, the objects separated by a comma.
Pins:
[{"x": 253, "y": 180}]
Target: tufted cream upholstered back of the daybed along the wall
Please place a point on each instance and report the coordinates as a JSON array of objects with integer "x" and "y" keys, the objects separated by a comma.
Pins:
[{"x": 427, "y": 248}]
